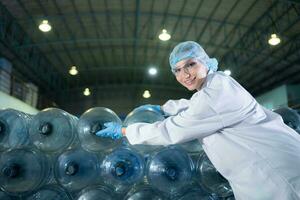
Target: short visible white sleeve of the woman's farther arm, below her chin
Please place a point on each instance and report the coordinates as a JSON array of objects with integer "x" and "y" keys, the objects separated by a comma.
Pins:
[{"x": 173, "y": 107}]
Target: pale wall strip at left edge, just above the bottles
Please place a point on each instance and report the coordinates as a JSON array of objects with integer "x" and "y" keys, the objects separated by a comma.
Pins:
[{"x": 7, "y": 101}]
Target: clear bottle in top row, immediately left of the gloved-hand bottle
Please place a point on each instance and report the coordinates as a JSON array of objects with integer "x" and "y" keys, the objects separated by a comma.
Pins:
[{"x": 53, "y": 130}]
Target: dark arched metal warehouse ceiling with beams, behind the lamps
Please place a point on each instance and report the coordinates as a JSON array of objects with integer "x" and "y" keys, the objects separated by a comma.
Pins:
[{"x": 113, "y": 43}]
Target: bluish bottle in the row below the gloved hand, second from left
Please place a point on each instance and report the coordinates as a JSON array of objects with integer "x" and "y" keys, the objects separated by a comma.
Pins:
[{"x": 77, "y": 168}]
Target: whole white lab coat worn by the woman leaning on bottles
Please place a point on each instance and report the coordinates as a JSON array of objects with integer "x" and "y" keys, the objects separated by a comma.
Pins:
[{"x": 249, "y": 145}]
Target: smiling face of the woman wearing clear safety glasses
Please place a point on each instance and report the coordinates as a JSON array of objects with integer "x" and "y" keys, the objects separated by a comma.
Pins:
[{"x": 190, "y": 73}]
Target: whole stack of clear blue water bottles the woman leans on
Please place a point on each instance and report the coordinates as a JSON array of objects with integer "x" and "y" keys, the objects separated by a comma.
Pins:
[{"x": 55, "y": 155}]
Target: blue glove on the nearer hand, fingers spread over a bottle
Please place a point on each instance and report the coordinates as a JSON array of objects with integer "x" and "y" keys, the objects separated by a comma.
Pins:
[{"x": 112, "y": 130}]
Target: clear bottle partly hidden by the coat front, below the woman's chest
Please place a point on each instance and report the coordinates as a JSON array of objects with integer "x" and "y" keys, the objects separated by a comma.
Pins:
[{"x": 211, "y": 179}]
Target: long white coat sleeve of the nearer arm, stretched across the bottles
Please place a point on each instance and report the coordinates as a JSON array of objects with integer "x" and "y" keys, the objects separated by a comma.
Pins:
[{"x": 217, "y": 106}]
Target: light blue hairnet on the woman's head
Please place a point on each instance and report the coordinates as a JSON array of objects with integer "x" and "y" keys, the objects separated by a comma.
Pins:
[{"x": 191, "y": 49}]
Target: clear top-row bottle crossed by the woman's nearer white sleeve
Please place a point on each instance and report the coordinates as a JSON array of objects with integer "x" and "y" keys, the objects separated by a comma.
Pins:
[{"x": 143, "y": 115}]
